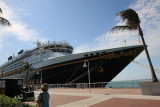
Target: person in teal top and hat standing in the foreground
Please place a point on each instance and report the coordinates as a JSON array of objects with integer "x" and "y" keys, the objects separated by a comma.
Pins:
[{"x": 43, "y": 97}]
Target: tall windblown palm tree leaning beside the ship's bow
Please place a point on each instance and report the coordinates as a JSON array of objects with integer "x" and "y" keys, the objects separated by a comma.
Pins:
[{"x": 132, "y": 22}]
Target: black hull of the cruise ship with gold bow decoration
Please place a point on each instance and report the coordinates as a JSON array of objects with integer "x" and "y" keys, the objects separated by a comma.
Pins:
[{"x": 103, "y": 67}]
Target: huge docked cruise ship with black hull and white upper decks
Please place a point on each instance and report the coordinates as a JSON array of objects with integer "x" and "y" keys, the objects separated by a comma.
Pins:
[{"x": 54, "y": 63}]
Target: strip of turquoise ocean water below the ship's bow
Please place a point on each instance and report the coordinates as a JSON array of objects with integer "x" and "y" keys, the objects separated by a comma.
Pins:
[{"x": 126, "y": 84}]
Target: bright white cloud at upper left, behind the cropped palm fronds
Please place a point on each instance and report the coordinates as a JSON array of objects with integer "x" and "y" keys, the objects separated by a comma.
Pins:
[{"x": 19, "y": 29}]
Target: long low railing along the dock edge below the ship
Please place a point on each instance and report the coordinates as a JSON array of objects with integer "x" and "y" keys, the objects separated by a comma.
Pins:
[{"x": 121, "y": 84}]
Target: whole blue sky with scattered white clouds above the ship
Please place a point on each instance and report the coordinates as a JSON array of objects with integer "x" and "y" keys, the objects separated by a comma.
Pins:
[{"x": 85, "y": 24}]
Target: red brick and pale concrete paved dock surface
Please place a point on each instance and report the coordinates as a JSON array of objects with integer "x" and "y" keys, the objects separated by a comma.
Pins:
[{"x": 99, "y": 97}]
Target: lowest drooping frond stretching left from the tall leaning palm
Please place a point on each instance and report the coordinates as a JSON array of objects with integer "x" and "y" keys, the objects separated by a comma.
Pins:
[{"x": 121, "y": 28}]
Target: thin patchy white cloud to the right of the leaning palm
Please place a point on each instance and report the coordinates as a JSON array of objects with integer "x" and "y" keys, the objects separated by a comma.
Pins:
[{"x": 149, "y": 12}]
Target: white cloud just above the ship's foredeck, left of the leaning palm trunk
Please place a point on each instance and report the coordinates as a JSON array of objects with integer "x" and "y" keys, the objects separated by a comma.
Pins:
[{"x": 110, "y": 40}]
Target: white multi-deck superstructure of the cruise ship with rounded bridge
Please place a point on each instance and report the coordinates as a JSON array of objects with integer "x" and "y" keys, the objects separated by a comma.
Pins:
[{"x": 37, "y": 57}]
